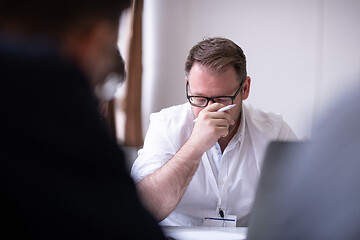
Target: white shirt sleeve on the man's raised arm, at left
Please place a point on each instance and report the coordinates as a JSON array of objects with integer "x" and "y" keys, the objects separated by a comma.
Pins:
[{"x": 169, "y": 129}]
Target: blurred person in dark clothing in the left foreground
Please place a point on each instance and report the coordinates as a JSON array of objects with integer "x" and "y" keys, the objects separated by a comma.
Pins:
[{"x": 62, "y": 175}]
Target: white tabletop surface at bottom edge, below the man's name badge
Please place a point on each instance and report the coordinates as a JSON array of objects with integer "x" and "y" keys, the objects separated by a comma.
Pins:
[{"x": 208, "y": 233}]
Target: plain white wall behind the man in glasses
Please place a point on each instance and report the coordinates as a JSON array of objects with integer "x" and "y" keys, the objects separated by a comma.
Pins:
[{"x": 301, "y": 54}]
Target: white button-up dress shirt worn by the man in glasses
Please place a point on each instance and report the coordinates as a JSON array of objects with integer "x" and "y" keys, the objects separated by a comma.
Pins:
[{"x": 225, "y": 180}]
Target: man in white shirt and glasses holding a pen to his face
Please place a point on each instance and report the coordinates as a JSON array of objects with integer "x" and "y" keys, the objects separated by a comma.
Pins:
[{"x": 192, "y": 172}]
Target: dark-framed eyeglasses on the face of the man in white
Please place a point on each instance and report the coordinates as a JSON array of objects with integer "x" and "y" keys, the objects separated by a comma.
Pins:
[{"x": 200, "y": 101}]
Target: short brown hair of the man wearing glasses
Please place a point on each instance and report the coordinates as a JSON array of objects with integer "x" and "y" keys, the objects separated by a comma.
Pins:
[{"x": 218, "y": 54}]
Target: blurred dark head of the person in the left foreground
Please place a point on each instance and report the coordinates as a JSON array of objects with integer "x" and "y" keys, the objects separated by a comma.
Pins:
[{"x": 85, "y": 32}]
